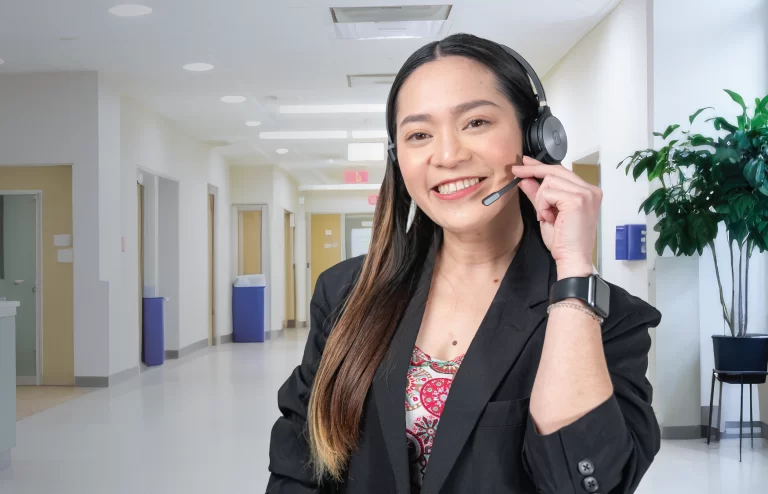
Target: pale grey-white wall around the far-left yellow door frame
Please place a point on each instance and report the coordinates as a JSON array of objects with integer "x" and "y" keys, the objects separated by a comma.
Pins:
[{"x": 53, "y": 119}]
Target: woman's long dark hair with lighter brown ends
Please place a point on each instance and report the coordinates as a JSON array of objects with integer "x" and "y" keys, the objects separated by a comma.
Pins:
[{"x": 362, "y": 334}]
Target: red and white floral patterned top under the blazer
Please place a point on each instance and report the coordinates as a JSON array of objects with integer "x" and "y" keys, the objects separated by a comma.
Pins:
[{"x": 429, "y": 381}]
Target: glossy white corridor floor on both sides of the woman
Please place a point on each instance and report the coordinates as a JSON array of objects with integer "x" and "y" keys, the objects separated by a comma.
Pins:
[{"x": 201, "y": 425}]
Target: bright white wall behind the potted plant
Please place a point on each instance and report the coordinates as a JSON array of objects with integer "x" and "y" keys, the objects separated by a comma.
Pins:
[{"x": 692, "y": 66}]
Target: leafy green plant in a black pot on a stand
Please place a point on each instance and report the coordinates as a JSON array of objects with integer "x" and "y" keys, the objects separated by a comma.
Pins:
[{"x": 707, "y": 181}]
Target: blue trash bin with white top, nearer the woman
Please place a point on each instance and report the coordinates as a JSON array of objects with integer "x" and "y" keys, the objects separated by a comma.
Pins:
[{"x": 248, "y": 309}]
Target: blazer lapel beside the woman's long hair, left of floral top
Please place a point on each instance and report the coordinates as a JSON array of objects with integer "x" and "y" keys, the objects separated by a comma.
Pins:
[{"x": 390, "y": 380}]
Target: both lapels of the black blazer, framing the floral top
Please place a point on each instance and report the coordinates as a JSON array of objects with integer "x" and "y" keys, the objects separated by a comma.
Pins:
[{"x": 516, "y": 312}]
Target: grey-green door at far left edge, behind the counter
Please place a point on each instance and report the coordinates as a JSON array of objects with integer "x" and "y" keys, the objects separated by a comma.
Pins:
[{"x": 19, "y": 278}]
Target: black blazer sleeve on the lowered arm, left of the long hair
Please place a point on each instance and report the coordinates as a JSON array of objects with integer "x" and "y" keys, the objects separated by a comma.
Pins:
[{"x": 289, "y": 461}]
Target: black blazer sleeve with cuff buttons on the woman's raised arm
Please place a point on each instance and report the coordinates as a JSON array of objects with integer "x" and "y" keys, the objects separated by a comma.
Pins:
[{"x": 610, "y": 448}]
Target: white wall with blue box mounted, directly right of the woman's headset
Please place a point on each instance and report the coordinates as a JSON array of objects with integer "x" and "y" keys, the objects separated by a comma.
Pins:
[{"x": 599, "y": 90}]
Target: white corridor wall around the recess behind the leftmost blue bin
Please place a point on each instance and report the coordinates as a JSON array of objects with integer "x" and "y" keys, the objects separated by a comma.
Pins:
[{"x": 153, "y": 143}]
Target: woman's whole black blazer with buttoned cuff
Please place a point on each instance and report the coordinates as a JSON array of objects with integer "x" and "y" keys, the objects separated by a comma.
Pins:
[{"x": 486, "y": 442}]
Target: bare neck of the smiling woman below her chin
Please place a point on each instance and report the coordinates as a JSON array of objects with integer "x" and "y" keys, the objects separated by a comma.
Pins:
[{"x": 484, "y": 251}]
